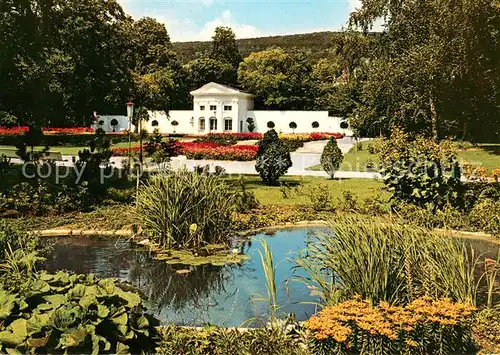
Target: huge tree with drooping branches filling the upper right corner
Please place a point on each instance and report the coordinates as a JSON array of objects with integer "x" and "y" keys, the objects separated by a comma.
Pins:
[{"x": 434, "y": 74}]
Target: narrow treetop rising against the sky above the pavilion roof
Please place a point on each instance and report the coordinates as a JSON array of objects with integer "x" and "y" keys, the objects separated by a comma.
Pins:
[{"x": 224, "y": 47}]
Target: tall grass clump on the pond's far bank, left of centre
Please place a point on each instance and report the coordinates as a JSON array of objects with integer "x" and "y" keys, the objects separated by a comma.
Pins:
[{"x": 185, "y": 210}]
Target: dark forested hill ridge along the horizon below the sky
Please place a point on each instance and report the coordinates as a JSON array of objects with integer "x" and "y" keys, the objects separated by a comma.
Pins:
[{"x": 317, "y": 43}]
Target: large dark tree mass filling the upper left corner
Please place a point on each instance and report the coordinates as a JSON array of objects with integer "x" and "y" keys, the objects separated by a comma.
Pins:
[{"x": 55, "y": 68}]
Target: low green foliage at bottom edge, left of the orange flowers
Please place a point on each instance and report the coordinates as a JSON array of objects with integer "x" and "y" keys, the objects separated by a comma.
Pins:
[{"x": 218, "y": 340}]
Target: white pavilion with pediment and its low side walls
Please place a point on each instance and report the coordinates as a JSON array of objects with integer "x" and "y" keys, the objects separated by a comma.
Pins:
[{"x": 220, "y": 108}]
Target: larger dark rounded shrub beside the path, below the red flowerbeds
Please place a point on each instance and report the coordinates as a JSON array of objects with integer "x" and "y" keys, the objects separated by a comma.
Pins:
[{"x": 273, "y": 158}]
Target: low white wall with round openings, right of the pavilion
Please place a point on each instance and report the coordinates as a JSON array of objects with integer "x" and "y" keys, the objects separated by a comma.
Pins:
[{"x": 303, "y": 119}]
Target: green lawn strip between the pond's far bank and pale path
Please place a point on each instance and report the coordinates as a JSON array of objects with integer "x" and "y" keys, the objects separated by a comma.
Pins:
[{"x": 272, "y": 195}]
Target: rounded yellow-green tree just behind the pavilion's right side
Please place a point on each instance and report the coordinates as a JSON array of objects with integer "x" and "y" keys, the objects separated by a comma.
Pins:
[{"x": 280, "y": 80}]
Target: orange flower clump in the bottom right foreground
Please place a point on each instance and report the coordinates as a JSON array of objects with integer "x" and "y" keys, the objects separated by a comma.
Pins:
[{"x": 422, "y": 327}]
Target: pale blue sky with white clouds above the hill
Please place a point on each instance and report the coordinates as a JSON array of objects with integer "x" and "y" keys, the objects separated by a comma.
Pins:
[{"x": 196, "y": 20}]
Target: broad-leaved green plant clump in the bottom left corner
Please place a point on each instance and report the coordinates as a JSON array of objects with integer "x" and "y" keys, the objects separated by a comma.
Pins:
[{"x": 52, "y": 312}]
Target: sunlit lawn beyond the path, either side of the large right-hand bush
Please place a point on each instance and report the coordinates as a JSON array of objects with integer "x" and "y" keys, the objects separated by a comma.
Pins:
[{"x": 487, "y": 155}]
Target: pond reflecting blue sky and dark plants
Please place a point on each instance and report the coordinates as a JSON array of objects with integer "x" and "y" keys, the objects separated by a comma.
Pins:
[{"x": 222, "y": 295}]
